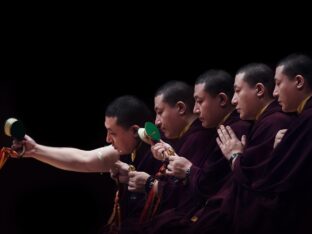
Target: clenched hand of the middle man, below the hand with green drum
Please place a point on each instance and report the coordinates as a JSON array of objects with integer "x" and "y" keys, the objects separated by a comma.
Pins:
[{"x": 178, "y": 166}]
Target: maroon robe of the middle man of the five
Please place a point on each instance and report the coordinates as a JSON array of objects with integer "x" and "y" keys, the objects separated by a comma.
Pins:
[{"x": 200, "y": 187}]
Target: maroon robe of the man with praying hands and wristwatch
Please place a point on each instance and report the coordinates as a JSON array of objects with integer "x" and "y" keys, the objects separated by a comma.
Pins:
[{"x": 235, "y": 208}]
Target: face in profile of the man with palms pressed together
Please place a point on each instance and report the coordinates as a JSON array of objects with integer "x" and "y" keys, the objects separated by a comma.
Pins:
[{"x": 245, "y": 98}]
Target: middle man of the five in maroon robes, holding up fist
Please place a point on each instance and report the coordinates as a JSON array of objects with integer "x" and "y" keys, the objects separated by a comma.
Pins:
[{"x": 213, "y": 93}]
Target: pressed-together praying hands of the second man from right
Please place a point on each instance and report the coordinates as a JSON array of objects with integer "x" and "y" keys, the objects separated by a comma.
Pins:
[{"x": 229, "y": 143}]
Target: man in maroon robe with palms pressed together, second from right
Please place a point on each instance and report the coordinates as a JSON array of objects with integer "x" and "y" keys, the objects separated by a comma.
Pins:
[{"x": 235, "y": 209}]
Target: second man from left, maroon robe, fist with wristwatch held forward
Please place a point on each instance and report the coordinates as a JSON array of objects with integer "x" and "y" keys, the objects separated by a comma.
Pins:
[{"x": 174, "y": 105}]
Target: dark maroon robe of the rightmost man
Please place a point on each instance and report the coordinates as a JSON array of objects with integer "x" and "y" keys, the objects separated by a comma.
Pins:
[{"x": 286, "y": 187}]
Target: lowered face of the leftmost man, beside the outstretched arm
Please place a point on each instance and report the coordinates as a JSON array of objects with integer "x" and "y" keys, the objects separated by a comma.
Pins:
[{"x": 123, "y": 140}]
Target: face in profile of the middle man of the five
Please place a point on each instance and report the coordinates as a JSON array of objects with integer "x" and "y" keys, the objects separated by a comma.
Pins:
[{"x": 207, "y": 107}]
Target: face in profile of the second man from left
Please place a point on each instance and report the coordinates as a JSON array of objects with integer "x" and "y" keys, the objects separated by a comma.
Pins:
[{"x": 168, "y": 118}]
